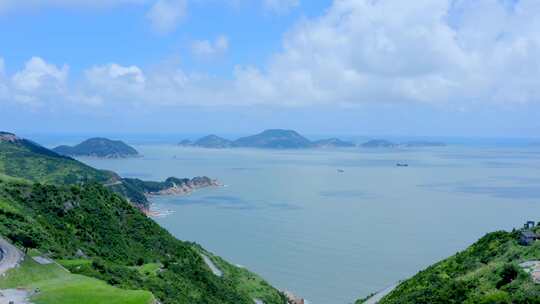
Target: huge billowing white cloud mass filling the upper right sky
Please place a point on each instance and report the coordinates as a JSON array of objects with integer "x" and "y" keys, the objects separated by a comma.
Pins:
[{"x": 396, "y": 51}]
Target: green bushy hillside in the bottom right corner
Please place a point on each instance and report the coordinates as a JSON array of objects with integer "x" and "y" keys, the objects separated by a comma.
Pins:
[{"x": 486, "y": 272}]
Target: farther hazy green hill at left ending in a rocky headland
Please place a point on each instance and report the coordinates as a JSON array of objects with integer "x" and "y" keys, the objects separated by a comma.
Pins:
[{"x": 22, "y": 158}]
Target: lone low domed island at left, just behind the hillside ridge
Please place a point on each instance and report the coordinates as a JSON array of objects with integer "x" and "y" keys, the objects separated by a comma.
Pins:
[{"x": 98, "y": 147}]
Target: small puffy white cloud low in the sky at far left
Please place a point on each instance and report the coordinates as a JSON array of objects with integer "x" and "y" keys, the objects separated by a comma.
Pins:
[{"x": 40, "y": 75}]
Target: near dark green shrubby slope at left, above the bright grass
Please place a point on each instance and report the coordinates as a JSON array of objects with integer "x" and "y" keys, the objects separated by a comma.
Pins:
[{"x": 120, "y": 245}]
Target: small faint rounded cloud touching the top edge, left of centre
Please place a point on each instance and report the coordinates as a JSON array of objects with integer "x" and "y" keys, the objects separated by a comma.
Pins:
[{"x": 166, "y": 14}]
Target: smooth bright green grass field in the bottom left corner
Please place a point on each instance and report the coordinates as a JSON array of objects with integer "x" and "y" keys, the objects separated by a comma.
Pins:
[{"x": 57, "y": 286}]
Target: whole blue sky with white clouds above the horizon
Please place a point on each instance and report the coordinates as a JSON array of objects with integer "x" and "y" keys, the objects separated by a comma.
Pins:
[{"x": 354, "y": 67}]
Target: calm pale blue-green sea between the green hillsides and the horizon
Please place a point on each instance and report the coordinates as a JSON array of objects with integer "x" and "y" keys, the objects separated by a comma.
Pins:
[{"x": 334, "y": 237}]
